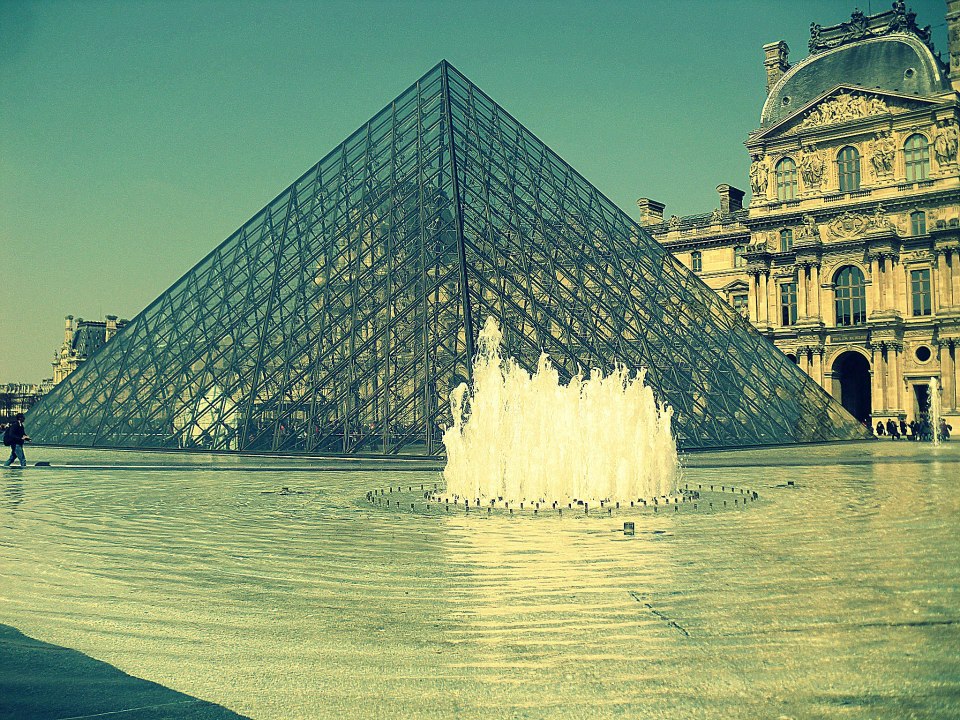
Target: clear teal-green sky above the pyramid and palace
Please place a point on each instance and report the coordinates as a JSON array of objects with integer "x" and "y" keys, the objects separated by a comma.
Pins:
[{"x": 135, "y": 136}]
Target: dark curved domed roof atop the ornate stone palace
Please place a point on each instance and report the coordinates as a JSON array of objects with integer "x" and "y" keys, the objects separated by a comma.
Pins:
[{"x": 899, "y": 63}]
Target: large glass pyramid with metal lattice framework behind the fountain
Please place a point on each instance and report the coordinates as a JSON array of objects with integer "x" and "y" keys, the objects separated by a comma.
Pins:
[{"x": 337, "y": 319}]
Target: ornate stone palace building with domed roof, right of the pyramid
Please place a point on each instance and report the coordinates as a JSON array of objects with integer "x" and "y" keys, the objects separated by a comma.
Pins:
[{"x": 848, "y": 255}]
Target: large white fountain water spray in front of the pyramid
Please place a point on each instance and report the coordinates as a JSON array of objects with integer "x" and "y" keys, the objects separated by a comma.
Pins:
[{"x": 521, "y": 437}]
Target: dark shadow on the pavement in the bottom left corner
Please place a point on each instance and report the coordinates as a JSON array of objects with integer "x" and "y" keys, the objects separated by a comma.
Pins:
[{"x": 40, "y": 681}]
